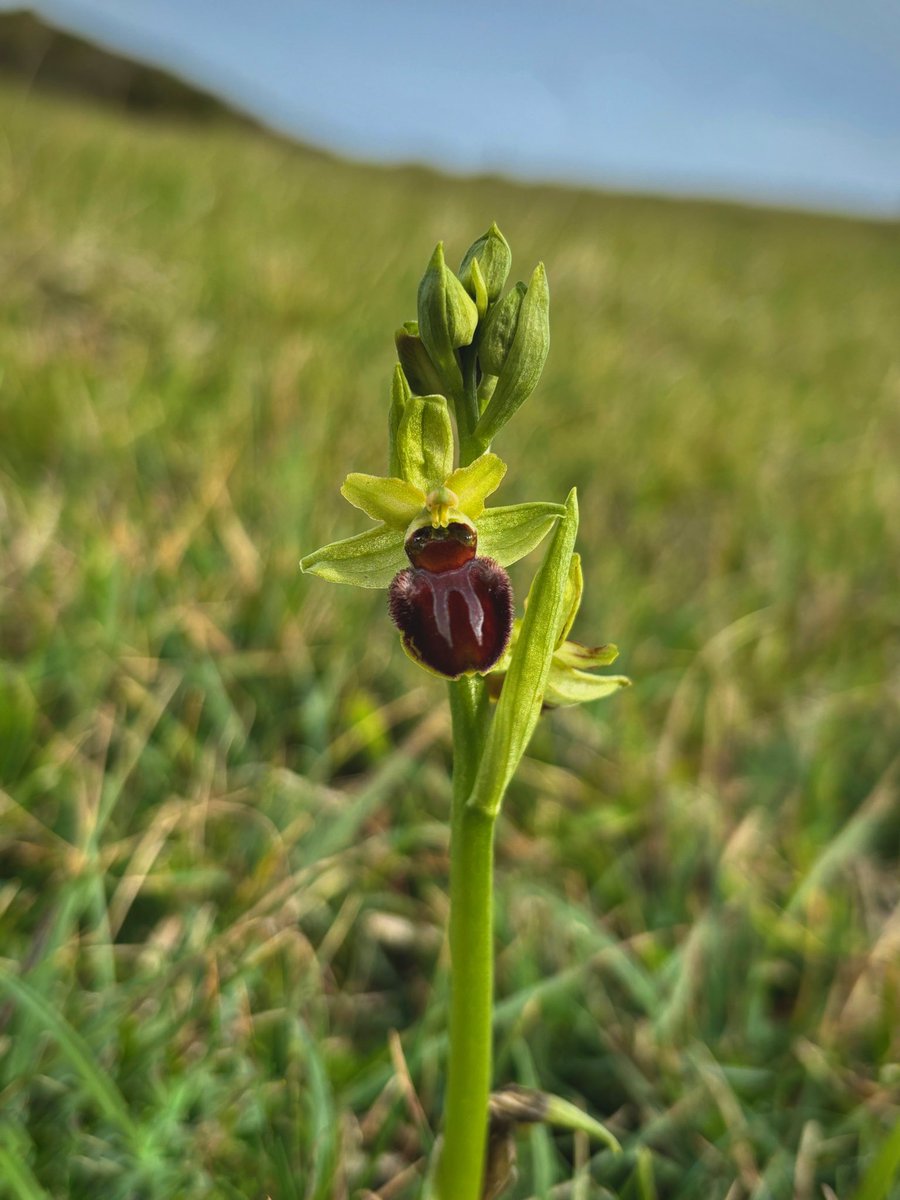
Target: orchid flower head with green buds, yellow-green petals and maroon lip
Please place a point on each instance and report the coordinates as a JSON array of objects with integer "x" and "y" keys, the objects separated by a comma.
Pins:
[{"x": 470, "y": 362}]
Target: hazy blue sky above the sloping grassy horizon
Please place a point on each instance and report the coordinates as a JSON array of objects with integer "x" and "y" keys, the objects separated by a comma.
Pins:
[{"x": 794, "y": 103}]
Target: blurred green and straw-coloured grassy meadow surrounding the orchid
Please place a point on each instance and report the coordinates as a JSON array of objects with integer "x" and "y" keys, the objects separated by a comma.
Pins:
[{"x": 224, "y": 789}]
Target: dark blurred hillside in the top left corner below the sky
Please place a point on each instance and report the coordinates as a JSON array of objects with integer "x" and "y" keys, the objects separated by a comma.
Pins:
[{"x": 56, "y": 61}]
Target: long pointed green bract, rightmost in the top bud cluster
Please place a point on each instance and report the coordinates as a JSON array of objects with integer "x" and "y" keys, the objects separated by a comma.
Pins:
[{"x": 524, "y": 363}]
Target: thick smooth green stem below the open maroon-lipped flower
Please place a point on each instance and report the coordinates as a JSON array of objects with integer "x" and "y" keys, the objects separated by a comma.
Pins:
[{"x": 463, "y": 1159}]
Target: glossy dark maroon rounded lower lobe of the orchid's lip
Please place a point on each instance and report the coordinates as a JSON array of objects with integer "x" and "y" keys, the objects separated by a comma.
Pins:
[{"x": 455, "y": 620}]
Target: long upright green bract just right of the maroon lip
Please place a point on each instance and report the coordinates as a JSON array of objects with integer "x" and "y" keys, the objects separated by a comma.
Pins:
[{"x": 520, "y": 704}]
